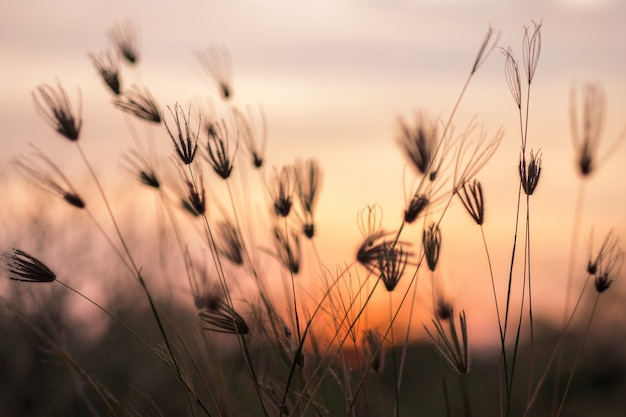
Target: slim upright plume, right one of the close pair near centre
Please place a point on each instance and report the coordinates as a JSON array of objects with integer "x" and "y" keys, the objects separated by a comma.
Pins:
[{"x": 309, "y": 182}]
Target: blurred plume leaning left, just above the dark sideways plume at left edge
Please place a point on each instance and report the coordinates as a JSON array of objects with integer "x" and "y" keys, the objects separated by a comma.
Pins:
[{"x": 45, "y": 174}]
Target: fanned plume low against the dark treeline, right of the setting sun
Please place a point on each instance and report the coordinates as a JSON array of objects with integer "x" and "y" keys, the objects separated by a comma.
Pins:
[{"x": 454, "y": 350}]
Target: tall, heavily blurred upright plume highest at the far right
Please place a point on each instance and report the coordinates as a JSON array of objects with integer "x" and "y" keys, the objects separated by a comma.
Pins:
[{"x": 587, "y": 139}]
